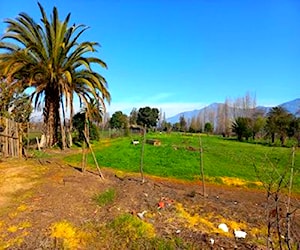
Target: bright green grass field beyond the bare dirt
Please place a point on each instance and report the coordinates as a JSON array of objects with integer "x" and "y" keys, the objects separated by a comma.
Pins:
[{"x": 178, "y": 156}]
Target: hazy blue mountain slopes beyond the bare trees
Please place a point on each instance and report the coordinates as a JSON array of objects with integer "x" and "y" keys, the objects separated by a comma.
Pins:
[{"x": 292, "y": 106}]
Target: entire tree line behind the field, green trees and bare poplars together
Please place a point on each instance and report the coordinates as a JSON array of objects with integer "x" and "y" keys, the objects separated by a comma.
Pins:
[{"x": 240, "y": 118}]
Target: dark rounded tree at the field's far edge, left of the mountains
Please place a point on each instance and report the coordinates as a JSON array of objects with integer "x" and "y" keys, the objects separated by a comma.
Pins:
[{"x": 148, "y": 117}]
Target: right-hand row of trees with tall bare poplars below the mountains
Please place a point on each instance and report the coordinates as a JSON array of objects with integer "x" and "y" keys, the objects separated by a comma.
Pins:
[{"x": 242, "y": 118}]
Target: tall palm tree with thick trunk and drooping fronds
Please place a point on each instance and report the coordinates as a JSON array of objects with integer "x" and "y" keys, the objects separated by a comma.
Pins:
[{"x": 49, "y": 57}]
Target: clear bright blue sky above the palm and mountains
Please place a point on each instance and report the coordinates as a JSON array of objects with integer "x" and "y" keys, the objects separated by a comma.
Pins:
[{"x": 181, "y": 55}]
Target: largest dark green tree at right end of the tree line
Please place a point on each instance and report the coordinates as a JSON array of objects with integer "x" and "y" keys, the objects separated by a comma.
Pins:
[{"x": 277, "y": 124}]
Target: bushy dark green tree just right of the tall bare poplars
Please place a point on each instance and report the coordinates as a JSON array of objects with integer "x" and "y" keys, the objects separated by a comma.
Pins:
[{"x": 242, "y": 128}]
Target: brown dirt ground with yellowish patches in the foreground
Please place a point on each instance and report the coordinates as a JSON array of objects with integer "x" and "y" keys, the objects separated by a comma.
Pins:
[{"x": 36, "y": 194}]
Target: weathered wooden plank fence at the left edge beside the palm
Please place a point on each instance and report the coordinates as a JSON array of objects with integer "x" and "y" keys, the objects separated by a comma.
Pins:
[{"x": 10, "y": 138}]
